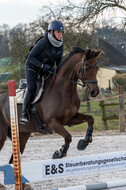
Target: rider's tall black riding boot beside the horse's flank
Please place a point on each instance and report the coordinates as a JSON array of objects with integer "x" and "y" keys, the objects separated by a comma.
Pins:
[{"x": 28, "y": 98}]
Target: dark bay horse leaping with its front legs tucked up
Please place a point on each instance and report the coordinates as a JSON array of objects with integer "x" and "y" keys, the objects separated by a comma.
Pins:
[{"x": 60, "y": 105}]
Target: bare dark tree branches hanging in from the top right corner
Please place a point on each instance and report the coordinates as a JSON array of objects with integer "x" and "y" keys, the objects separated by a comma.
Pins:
[{"x": 91, "y": 9}]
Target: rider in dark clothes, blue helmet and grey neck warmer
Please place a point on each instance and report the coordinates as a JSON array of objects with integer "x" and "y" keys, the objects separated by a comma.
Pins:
[{"x": 42, "y": 56}]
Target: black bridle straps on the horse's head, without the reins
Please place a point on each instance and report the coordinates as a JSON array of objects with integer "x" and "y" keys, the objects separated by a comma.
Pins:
[{"x": 83, "y": 63}]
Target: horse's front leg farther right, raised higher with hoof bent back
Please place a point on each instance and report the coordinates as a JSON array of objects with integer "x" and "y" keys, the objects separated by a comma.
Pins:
[{"x": 78, "y": 119}]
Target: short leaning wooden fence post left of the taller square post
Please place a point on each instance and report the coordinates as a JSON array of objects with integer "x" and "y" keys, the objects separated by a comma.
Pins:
[{"x": 103, "y": 112}]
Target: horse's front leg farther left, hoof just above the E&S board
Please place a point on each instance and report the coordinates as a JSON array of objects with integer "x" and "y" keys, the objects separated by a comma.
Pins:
[{"x": 57, "y": 127}]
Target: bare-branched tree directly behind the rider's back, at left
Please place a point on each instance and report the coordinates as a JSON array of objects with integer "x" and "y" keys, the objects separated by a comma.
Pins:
[{"x": 21, "y": 38}]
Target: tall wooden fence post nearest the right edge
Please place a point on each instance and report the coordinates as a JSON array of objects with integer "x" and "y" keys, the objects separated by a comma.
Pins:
[{"x": 121, "y": 109}]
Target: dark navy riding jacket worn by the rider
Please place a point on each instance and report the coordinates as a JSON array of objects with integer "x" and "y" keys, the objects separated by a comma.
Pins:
[{"x": 44, "y": 53}]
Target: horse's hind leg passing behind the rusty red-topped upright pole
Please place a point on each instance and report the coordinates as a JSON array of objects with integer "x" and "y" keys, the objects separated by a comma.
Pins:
[{"x": 23, "y": 140}]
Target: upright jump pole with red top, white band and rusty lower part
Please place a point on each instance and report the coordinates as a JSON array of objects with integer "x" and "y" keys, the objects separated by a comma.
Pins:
[{"x": 15, "y": 135}]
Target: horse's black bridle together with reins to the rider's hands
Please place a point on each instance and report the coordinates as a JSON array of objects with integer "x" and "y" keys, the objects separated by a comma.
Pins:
[{"x": 72, "y": 81}]
